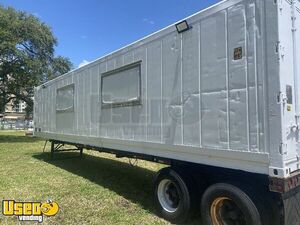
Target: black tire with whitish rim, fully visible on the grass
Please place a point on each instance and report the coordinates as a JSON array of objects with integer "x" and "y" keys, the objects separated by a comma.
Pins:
[{"x": 185, "y": 207}]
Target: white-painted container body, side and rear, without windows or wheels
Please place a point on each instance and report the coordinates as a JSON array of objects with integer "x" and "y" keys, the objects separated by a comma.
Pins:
[{"x": 198, "y": 104}]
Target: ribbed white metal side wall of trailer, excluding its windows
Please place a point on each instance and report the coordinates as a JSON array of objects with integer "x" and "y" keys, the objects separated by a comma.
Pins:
[{"x": 193, "y": 91}]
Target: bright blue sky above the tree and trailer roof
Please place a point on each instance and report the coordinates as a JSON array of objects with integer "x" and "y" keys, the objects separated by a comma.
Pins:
[{"x": 87, "y": 30}]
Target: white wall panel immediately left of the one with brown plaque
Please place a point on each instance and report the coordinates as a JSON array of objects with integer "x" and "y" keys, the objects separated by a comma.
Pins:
[{"x": 213, "y": 79}]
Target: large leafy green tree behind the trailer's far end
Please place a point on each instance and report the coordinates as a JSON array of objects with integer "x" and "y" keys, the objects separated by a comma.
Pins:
[{"x": 26, "y": 56}]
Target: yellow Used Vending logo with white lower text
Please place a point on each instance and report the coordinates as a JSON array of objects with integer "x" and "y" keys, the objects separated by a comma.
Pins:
[{"x": 29, "y": 211}]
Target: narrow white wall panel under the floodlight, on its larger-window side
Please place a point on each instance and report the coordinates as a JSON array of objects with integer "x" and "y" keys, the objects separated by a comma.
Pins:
[{"x": 172, "y": 89}]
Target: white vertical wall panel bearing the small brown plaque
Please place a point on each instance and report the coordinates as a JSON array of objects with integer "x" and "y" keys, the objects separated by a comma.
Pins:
[{"x": 238, "y": 89}]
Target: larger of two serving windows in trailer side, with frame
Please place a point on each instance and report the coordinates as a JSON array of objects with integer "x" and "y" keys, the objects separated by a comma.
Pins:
[{"x": 122, "y": 87}]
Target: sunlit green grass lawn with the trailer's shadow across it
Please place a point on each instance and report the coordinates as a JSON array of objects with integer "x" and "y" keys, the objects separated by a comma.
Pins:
[{"x": 97, "y": 189}]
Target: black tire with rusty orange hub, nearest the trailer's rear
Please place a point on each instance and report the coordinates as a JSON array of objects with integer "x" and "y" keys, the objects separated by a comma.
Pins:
[{"x": 228, "y": 203}]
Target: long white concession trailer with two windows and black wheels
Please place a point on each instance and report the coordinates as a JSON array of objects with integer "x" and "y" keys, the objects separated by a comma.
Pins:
[{"x": 215, "y": 96}]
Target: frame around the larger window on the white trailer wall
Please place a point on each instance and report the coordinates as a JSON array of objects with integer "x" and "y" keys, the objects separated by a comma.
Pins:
[{"x": 134, "y": 102}]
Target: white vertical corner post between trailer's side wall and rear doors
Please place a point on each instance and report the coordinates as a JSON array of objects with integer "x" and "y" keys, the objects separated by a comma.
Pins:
[{"x": 270, "y": 88}]
